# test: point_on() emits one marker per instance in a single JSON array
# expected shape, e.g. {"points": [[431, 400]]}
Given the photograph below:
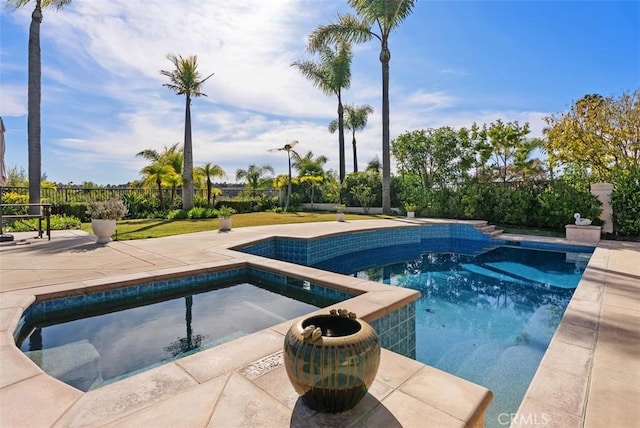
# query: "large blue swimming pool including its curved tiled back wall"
{"points": [[488, 308]]}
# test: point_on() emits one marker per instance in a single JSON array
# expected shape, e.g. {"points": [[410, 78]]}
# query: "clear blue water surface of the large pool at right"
{"points": [[488, 317]]}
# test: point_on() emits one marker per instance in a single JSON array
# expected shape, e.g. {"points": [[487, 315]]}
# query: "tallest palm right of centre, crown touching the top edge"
{"points": [[372, 15]]}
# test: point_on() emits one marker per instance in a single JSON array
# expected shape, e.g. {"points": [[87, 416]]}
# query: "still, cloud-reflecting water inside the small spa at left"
{"points": [[90, 349]]}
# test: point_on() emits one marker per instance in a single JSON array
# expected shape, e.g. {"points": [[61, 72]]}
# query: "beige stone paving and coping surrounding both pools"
{"points": [[588, 376]]}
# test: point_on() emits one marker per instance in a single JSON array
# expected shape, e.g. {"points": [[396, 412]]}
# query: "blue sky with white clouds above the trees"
{"points": [[452, 63]]}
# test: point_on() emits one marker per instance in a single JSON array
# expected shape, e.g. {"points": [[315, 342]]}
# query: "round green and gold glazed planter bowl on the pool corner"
{"points": [[331, 360]]}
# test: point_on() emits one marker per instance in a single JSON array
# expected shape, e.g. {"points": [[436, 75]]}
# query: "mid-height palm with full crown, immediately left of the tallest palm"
{"points": [[331, 75]]}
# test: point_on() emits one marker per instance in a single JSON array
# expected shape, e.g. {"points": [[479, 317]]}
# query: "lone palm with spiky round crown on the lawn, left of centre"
{"points": [[185, 80]]}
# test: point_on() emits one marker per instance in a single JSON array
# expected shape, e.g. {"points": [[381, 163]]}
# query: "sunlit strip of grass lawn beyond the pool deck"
{"points": [[155, 228]]}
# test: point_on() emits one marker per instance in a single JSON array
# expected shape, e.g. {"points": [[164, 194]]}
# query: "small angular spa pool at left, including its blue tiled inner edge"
{"points": [[92, 340]]}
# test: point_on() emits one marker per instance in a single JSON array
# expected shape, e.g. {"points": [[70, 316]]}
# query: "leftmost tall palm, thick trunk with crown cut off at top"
{"points": [[34, 90]]}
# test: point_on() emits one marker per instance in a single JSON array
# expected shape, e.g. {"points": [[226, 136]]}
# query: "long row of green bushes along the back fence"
{"points": [[546, 204]]}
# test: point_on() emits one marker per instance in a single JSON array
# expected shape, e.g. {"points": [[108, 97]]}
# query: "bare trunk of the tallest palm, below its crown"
{"points": [[385, 57]]}
